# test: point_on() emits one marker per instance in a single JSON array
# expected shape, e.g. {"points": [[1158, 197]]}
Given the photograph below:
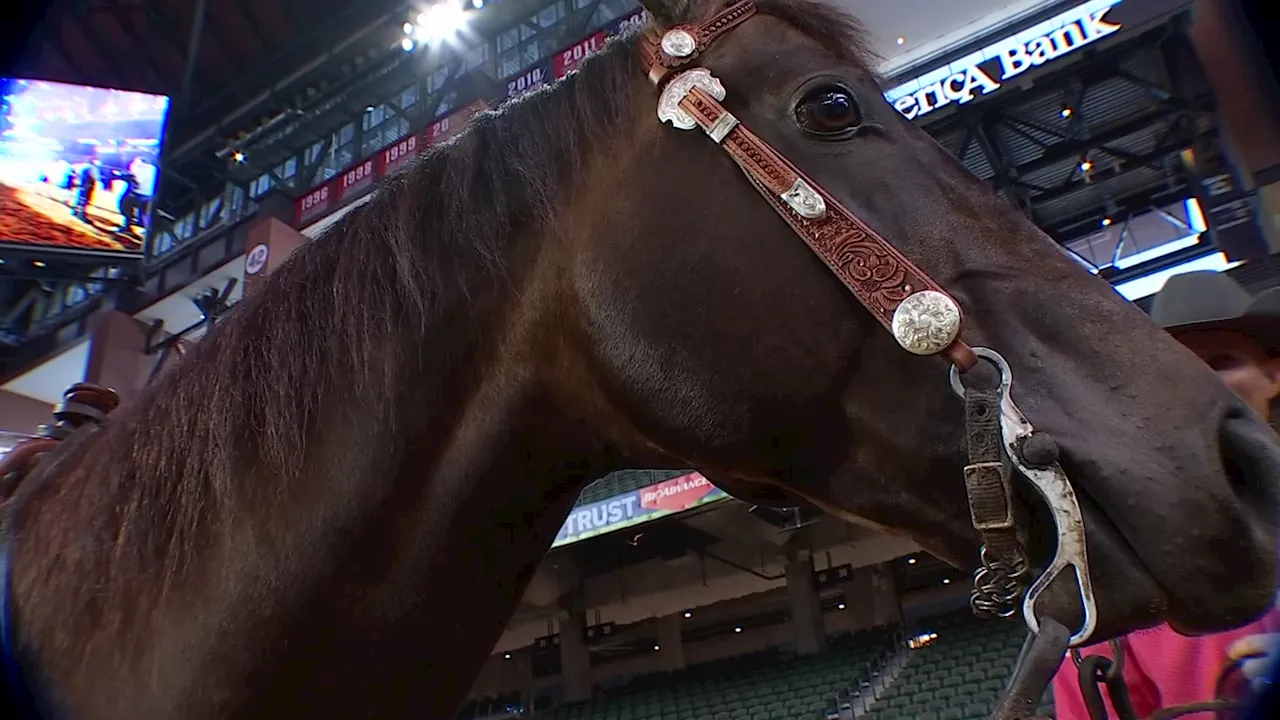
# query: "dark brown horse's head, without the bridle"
{"points": [[737, 350]]}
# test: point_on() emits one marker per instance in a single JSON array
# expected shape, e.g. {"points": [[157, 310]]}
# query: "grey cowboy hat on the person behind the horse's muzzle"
{"points": [[1208, 300]]}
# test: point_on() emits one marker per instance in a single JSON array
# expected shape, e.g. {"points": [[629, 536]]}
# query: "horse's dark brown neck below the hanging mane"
{"points": [[374, 584]]}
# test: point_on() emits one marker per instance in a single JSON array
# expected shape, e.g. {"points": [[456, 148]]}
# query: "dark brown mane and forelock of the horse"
{"points": [[170, 468]]}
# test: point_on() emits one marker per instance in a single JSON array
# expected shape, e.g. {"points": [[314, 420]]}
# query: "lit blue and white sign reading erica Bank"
{"points": [[985, 71]]}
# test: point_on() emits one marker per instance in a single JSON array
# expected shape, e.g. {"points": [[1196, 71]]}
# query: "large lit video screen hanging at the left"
{"points": [[79, 166]]}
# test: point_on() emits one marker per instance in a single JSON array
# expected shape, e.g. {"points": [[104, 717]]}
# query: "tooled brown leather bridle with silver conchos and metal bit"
{"points": [[922, 317]]}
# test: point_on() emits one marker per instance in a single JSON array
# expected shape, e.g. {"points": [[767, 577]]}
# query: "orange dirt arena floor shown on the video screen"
{"points": [[30, 218]]}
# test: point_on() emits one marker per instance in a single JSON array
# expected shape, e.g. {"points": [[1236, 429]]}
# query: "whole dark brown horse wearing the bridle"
{"points": [[333, 504]]}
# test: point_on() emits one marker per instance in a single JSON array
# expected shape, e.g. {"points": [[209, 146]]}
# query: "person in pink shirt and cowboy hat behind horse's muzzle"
{"points": [[1240, 338]]}
